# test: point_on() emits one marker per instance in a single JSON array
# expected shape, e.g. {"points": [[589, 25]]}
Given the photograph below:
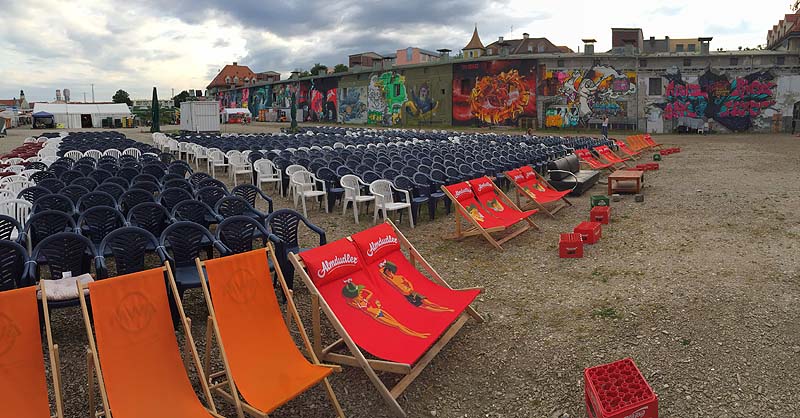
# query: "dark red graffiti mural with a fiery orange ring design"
{"points": [[494, 92]]}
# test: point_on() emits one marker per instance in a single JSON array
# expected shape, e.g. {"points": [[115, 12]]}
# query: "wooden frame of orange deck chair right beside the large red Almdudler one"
{"points": [[212, 328]]}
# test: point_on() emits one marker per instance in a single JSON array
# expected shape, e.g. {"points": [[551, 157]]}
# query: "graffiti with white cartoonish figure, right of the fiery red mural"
{"points": [[596, 92]]}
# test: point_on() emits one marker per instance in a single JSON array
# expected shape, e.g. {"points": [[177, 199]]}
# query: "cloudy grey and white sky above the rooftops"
{"points": [[181, 44]]}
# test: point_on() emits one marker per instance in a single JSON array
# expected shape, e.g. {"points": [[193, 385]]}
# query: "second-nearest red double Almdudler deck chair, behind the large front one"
{"points": [[482, 222]]}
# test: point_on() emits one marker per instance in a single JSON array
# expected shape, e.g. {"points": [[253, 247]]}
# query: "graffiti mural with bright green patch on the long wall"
{"points": [[386, 96]]}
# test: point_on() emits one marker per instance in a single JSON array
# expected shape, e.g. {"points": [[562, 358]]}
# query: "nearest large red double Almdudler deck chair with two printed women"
{"points": [[380, 303]]}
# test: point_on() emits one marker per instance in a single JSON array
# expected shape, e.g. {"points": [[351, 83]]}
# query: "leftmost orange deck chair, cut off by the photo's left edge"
{"points": [[23, 380]]}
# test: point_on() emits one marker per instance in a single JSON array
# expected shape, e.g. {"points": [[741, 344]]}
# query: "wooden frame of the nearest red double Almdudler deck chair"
{"points": [[356, 357]]}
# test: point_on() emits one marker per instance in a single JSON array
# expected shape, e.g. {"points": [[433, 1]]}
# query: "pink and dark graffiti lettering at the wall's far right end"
{"points": [[734, 103]]}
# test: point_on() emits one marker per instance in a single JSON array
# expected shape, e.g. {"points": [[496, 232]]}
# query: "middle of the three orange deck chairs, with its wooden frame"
{"points": [[135, 352]]}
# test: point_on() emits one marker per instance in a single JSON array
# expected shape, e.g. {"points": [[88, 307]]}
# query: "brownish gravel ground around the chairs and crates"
{"points": [[694, 284]]}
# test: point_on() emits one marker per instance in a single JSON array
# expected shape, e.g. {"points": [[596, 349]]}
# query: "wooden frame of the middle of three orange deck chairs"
{"points": [[93, 360]]}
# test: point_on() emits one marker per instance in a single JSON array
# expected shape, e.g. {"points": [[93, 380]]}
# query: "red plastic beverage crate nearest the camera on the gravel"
{"points": [[618, 390]]}
